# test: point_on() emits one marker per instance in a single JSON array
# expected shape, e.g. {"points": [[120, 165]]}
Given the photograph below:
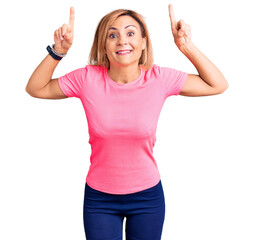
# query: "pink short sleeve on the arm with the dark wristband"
{"points": [[71, 83]]}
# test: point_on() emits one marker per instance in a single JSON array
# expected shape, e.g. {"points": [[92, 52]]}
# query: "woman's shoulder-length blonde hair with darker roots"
{"points": [[98, 53]]}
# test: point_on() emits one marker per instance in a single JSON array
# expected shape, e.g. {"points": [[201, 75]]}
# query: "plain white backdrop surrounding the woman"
{"points": [[203, 147]]}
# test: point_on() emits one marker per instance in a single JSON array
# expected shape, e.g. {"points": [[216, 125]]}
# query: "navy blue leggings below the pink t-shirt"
{"points": [[104, 213]]}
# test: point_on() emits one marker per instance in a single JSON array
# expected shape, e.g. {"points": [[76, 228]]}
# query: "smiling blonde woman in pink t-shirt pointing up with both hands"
{"points": [[122, 93]]}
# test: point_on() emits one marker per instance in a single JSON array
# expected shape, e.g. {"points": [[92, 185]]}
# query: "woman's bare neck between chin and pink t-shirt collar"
{"points": [[124, 74]]}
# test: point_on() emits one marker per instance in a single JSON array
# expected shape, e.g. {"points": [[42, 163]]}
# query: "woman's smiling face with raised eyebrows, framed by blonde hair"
{"points": [[124, 34]]}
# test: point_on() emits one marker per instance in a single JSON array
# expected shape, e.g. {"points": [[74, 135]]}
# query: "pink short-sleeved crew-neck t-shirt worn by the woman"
{"points": [[122, 122]]}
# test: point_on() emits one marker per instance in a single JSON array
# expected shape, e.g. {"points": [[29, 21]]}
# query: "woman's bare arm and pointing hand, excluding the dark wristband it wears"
{"points": [[40, 84]]}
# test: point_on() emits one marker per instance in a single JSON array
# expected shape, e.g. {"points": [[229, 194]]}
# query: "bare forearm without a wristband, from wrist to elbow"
{"points": [[206, 69]]}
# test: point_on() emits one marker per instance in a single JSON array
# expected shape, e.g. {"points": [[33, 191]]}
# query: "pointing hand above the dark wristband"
{"points": [[63, 36]]}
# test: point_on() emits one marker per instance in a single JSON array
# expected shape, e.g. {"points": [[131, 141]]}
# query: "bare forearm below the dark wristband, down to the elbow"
{"points": [[42, 74]]}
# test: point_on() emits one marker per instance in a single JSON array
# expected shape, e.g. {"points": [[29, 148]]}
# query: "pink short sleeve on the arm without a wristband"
{"points": [[173, 80]]}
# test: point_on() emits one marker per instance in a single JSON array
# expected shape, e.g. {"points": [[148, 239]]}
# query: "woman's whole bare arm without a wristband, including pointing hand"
{"points": [[210, 80]]}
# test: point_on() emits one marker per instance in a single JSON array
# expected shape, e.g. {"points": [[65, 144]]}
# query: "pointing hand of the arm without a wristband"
{"points": [[181, 31]]}
